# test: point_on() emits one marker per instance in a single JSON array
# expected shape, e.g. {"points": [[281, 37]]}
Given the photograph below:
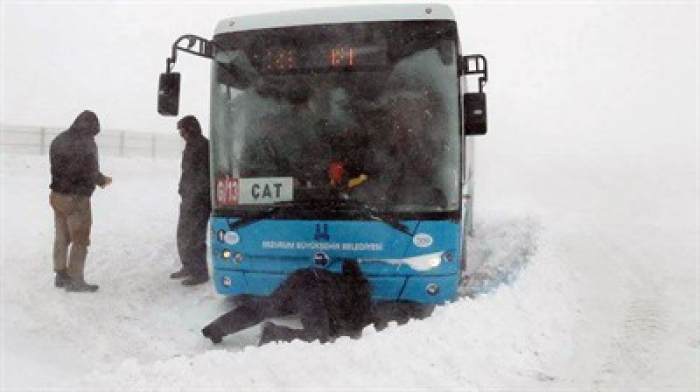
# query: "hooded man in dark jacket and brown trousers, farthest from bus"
{"points": [[75, 172]]}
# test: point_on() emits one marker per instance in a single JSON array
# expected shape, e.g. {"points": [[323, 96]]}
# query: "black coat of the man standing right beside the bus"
{"points": [[194, 182]]}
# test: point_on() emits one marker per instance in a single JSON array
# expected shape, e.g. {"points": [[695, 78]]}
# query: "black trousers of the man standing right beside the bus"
{"points": [[192, 235]]}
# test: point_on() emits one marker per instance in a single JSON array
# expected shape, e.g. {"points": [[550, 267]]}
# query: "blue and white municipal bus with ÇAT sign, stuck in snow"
{"points": [[336, 134]]}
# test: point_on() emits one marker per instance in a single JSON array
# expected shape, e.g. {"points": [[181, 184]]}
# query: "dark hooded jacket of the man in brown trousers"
{"points": [[73, 155]]}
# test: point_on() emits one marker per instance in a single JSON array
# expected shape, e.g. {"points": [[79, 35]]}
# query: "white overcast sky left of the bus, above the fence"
{"points": [[60, 57]]}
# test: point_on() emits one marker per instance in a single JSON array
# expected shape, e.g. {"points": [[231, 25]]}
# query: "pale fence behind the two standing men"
{"points": [[32, 140]]}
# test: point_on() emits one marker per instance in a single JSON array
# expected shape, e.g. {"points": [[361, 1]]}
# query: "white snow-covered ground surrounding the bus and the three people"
{"points": [[596, 297]]}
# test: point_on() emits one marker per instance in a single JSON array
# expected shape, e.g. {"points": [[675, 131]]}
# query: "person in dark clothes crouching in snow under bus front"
{"points": [[329, 305]]}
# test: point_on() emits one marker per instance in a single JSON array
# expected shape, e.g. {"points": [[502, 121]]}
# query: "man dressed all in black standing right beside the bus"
{"points": [[195, 205]]}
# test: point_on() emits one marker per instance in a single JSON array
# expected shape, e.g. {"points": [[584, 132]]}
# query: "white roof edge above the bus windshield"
{"points": [[336, 15]]}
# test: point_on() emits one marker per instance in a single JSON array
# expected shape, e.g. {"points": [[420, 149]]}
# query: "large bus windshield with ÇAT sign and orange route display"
{"points": [[367, 112]]}
